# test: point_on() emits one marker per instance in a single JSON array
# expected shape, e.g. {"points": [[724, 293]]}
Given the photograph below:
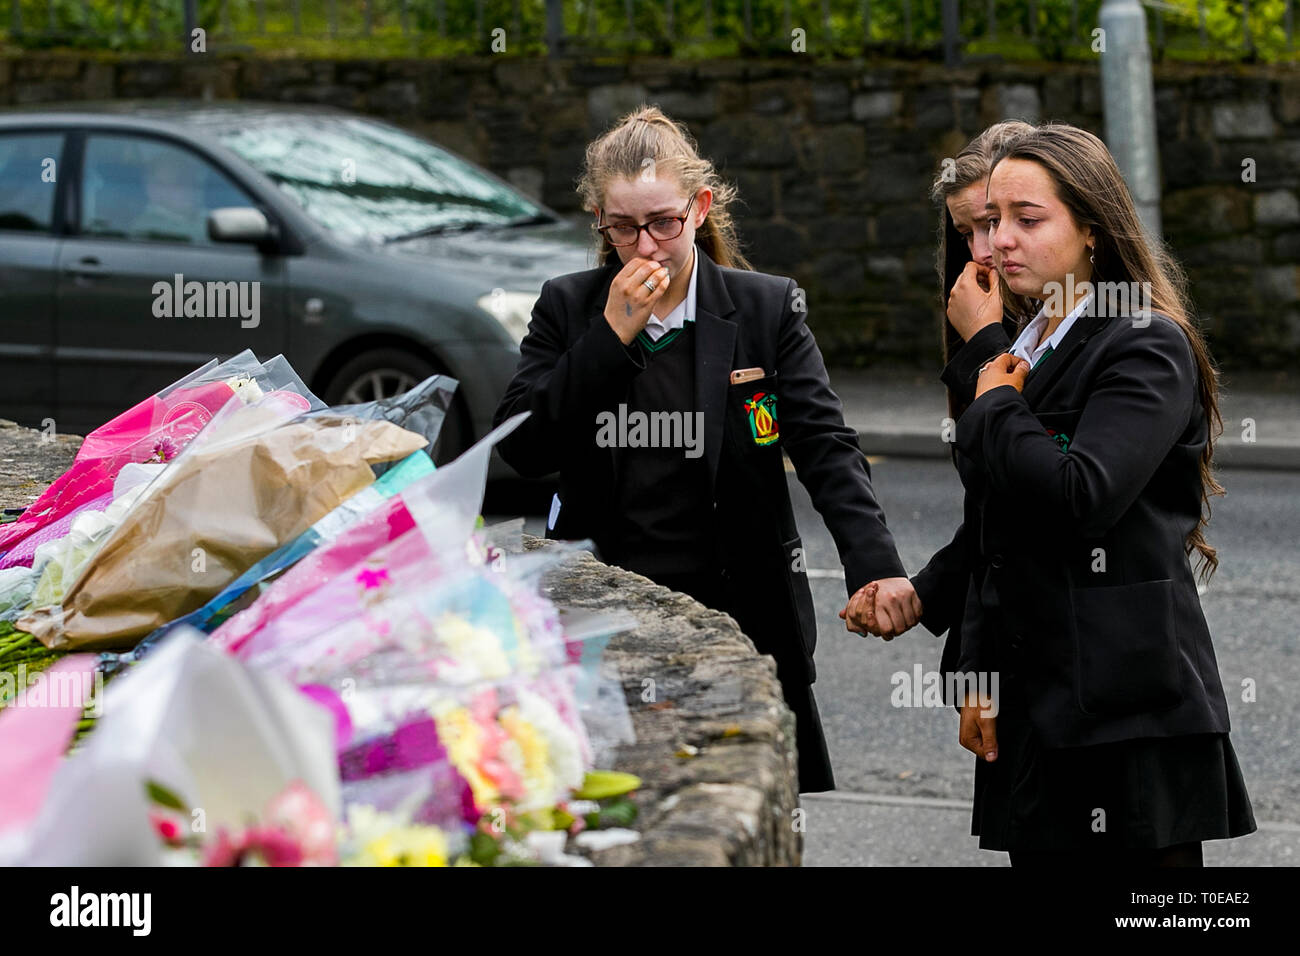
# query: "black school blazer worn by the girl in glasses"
{"points": [[573, 367]]}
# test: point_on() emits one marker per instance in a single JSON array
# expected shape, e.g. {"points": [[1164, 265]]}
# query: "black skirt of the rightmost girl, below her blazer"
{"points": [[1142, 794]]}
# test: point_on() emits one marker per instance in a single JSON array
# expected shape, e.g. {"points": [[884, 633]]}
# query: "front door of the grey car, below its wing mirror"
{"points": [[144, 295]]}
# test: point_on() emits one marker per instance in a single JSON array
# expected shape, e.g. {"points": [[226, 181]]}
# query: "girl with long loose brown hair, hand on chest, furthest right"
{"points": [[1087, 460]]}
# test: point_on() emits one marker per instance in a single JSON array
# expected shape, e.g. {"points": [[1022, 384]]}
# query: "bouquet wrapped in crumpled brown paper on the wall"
{"points": [[258, 477]]}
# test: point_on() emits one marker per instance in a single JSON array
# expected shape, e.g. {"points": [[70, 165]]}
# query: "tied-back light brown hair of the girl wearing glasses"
{"points": [[644, 136]]}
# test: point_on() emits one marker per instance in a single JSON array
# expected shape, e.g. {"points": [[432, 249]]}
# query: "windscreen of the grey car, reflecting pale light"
{"points": [[372, 183]]}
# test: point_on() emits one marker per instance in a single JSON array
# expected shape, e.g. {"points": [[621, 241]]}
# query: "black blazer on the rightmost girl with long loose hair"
{"points": [[1080, 499]]}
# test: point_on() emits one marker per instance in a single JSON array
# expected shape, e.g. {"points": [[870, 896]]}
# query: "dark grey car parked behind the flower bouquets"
{"points": [[140, 240]]}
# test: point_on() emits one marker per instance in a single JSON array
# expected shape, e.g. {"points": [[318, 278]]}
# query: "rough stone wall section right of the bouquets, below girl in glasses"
{"points": [[716, 742]]}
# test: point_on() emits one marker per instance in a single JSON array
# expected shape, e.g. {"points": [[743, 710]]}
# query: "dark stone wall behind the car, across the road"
{"points": [[834, 161]]}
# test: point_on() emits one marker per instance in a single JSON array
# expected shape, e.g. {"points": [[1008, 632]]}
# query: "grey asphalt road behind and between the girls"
{"points": [[904, 784]]}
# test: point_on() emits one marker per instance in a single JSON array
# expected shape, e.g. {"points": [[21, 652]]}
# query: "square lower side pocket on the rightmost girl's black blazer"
{"points": [[1126, 648]]}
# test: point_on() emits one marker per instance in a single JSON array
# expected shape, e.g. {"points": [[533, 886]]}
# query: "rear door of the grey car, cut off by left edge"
{"points": [[31, 162]]}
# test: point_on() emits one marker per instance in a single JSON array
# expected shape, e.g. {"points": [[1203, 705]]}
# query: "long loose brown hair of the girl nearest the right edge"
{"points": [[1093, 189]]}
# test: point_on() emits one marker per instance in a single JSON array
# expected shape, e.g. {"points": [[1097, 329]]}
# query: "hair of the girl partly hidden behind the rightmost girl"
{"points": [[972, 166]]}
